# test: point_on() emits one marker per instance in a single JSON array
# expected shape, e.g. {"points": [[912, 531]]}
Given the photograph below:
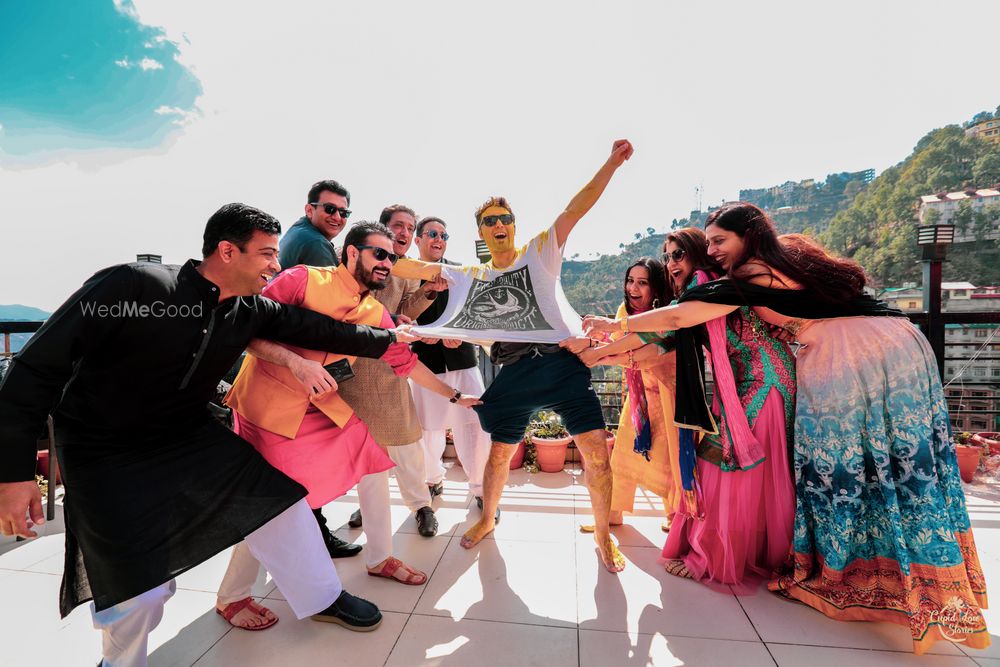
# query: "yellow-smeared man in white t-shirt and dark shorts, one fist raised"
{"points": [[535, 375]]}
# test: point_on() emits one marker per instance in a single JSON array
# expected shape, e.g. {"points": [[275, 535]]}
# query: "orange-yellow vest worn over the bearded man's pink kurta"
{"points": [[268, 395]]}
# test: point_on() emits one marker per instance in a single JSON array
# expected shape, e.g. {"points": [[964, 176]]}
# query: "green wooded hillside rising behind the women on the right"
{"points": [[875, 224]]}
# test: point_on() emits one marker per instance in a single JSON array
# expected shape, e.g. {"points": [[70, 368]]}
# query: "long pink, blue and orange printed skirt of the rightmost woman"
{"points": [[881, 528]]}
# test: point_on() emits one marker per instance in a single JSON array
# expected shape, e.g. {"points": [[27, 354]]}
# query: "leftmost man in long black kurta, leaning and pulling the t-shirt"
{"points": [[154, 485]]}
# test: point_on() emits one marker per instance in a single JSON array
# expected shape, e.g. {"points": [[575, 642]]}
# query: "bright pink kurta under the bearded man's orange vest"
{"points": [[324, 458]]}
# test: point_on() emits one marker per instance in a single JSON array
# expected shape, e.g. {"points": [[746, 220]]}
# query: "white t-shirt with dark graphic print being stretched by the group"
{"points": [[523, 303]]}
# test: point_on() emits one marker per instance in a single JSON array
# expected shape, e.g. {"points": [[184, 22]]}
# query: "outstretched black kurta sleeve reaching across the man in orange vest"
{"points": [[305, 328]]}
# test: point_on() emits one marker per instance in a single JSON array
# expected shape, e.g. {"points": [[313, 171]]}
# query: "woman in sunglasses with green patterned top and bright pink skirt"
{"points": [[735, 524]]}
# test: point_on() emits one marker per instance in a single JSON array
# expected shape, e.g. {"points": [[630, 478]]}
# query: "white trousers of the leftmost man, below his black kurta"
{"points": [[289, 546]]}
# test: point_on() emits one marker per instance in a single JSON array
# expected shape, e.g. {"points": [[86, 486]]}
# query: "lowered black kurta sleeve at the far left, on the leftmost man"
{"points": [[39, 373]]}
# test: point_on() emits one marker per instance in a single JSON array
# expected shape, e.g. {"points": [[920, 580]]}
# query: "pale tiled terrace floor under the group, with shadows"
{"points": [[533, 594]]}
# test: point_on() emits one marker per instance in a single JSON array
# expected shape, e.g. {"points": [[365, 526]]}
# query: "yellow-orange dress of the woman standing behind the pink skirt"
{"points": [[661, 474]]}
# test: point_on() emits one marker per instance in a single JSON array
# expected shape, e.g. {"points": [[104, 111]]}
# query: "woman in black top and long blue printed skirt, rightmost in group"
{"points": [[881, 528]]}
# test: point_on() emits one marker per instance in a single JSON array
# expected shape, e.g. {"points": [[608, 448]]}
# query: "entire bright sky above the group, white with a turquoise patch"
{"points": [[125, 125]]}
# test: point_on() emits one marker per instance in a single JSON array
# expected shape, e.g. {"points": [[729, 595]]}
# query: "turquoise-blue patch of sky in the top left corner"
{"points": [[86, 74]]}
